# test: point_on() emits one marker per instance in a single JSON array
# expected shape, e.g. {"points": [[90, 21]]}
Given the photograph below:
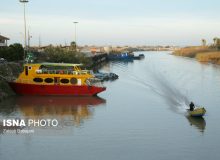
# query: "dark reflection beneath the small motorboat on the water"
{"points": [[197, 122]]}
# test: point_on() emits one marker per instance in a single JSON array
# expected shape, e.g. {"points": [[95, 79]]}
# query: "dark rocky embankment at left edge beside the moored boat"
{"points": [[8, 71]]}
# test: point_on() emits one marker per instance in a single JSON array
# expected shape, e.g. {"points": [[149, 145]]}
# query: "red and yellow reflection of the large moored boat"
{"points": [[69, 111]]}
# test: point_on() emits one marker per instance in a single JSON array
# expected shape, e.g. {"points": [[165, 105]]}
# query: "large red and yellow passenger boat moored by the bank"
{"points": [[56, 79]]}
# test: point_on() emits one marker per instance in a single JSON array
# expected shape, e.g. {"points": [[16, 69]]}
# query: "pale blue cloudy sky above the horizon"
{"points": [[112, 22]]}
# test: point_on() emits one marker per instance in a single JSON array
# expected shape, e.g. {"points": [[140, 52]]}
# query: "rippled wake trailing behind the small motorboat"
{"points": [[158, 82]]}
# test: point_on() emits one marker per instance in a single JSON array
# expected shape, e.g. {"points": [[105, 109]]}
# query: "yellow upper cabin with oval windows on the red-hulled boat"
{"points": [[54, 73]]}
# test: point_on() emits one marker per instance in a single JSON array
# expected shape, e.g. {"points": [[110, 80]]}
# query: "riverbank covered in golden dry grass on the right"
{"points": [[203, 54]]}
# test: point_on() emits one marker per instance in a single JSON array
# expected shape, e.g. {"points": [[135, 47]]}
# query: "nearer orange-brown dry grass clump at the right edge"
{"points": [[213, 57]]}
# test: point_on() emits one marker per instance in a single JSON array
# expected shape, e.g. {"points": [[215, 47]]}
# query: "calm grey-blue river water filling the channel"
{"points": [[142, 115]]}
